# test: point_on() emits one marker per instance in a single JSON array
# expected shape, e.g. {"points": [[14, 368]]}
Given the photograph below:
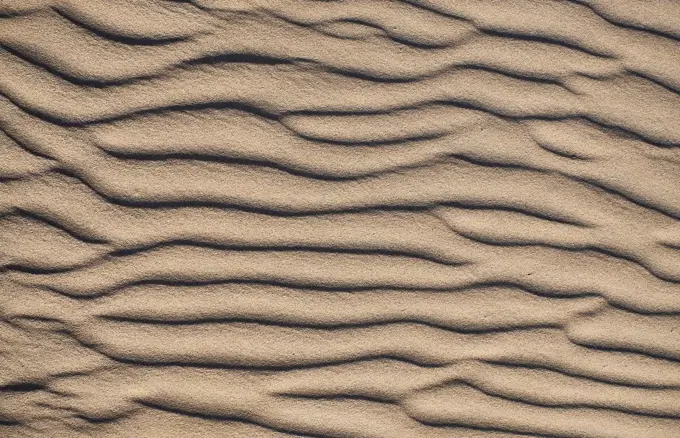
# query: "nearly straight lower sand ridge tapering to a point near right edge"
{"points": [[470, 310]]}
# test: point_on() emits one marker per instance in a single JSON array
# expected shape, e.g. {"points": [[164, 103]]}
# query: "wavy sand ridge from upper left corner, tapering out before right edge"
{"points": [[374, 58]]}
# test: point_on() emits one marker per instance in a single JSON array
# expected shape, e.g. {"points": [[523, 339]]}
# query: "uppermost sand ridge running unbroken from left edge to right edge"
{"points": [[255, 85]]}
